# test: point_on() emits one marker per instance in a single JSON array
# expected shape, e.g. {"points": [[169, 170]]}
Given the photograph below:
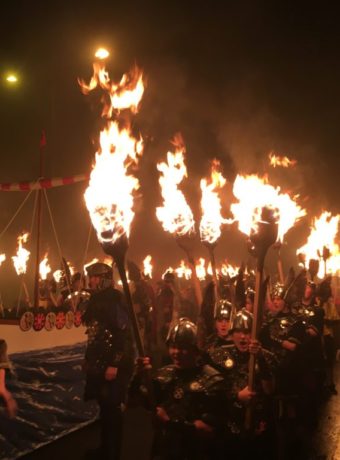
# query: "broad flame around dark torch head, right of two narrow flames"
{"points": [[255, 193]]}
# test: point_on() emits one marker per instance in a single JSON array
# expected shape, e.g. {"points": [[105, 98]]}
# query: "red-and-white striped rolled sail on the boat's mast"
{"points": [[43, 183]]}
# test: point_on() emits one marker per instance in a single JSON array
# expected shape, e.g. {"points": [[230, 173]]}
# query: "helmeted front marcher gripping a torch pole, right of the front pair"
{"points": [[241, 442]]}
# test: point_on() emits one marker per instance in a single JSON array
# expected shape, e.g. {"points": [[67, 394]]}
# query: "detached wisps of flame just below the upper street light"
{"points": [[126, 94]]}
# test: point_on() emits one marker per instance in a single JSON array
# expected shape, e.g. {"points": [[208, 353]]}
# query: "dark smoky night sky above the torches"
{"points": [[238, 79]]}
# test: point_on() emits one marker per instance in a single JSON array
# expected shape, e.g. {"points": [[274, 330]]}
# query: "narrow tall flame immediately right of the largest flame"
{"points": [[175, 214]]}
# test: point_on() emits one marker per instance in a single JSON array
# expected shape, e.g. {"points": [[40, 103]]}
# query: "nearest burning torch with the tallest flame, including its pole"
{"points": [[109, 196]]}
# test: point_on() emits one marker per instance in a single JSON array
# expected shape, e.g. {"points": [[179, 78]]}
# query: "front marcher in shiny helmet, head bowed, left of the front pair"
{"points": [[187, 397]]}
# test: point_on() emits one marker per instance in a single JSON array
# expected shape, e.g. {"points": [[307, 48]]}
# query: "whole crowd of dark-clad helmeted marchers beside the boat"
{"points": [[215, 390]]}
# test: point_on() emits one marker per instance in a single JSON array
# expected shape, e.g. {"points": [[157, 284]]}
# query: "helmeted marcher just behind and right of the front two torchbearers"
{"points": [[283, 334]]}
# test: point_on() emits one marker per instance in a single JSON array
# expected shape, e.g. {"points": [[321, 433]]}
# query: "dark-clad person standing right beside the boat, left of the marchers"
{"points": [[109, 356]]}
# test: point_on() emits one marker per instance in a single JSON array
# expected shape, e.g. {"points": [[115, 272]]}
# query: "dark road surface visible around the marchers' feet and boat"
{"points": [[137, 436]]}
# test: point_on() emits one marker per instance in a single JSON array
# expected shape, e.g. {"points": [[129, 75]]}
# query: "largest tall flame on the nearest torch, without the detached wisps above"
{"points": [[109, 196]]}
